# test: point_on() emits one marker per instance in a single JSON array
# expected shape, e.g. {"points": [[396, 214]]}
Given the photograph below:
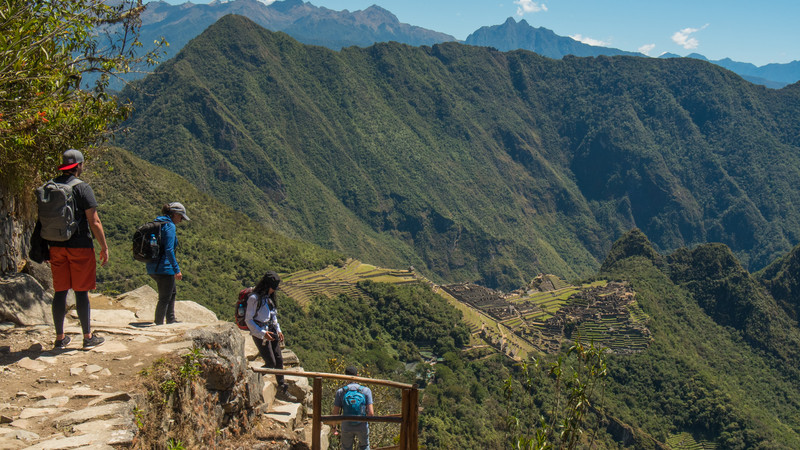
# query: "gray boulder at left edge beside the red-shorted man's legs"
{"points": [[24, 301]]}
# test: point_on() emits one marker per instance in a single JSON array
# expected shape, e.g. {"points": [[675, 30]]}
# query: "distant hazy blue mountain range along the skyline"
{"points": [[339, 29]]}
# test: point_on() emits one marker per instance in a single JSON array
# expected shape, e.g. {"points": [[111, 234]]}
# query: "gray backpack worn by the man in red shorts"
{"points": [[56, 203]]}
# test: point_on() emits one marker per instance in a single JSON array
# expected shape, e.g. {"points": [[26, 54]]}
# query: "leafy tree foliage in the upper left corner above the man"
{"points": [[45, 49]]}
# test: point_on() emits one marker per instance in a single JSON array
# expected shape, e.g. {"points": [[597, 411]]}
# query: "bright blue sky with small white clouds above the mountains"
{"points": [[756, 32]]}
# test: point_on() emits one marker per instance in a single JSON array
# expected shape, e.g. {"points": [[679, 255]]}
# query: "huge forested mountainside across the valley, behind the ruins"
{"points": [[470, 163]]}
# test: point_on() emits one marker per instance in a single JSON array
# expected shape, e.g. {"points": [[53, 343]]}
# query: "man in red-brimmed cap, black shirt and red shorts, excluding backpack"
{"points": [[73, 261]]}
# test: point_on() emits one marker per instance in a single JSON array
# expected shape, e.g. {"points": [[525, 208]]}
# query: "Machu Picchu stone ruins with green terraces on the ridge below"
{"points": [[549, 311]]}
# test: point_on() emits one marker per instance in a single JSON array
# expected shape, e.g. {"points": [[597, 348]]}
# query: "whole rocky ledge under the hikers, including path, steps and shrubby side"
{"points": [[104, 398]]}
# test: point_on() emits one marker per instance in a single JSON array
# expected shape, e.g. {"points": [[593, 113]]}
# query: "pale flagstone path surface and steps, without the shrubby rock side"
{"points": [[71, 398]]}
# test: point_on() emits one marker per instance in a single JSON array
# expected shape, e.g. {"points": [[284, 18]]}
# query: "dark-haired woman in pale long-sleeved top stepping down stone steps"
{"points": [[262, 321]]}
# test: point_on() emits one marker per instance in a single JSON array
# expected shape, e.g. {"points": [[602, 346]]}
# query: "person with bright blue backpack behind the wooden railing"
{"points": [[354, 400]]}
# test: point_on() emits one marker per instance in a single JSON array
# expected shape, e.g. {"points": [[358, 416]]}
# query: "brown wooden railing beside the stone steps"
{"points": [[407, 418]]}
